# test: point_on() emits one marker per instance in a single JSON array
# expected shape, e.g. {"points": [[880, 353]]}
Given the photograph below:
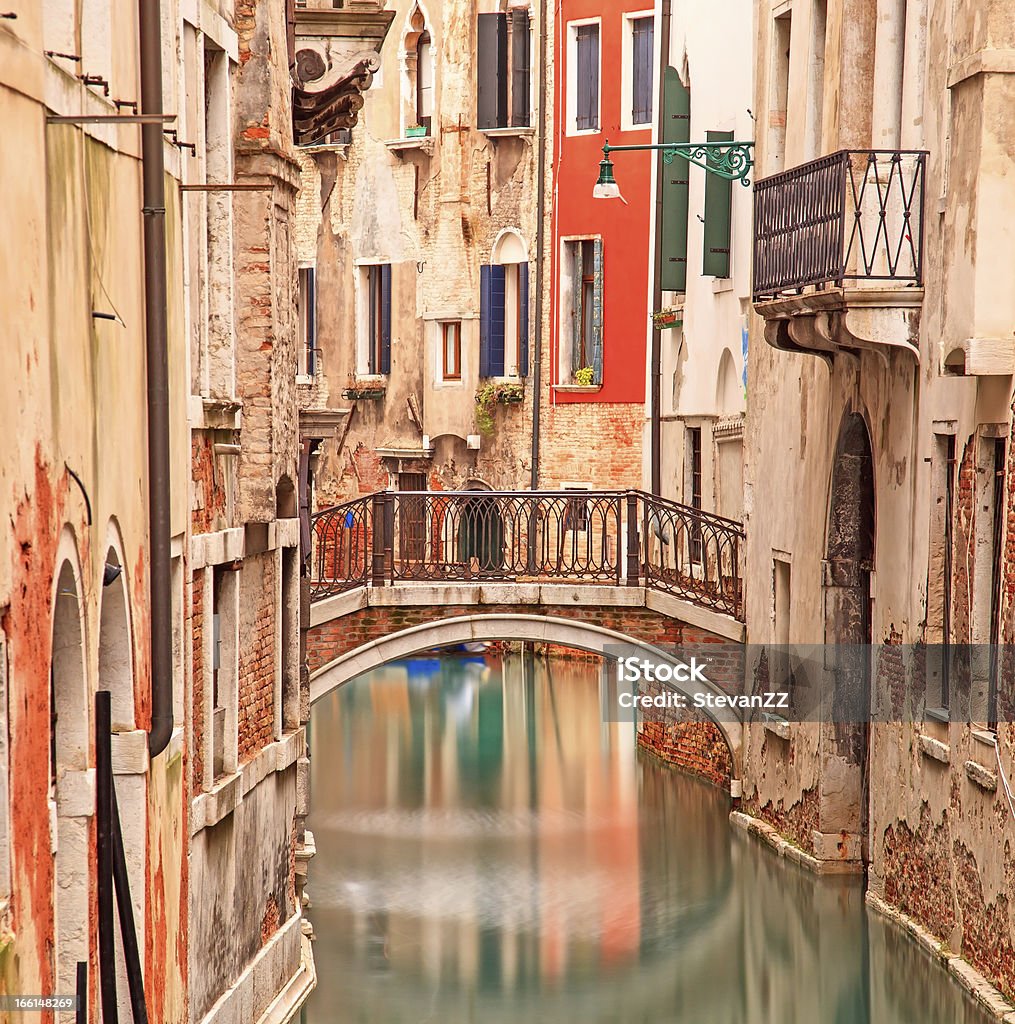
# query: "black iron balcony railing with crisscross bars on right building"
{"points": [[857, 215]]}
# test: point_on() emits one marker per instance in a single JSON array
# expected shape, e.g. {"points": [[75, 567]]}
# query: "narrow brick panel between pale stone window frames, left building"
{"points": [[258, 646]]}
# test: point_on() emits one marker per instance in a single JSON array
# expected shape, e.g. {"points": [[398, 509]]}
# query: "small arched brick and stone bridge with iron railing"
{"points": [[396, 574]]}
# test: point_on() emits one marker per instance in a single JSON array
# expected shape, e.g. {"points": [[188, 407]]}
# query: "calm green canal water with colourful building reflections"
{"points": [[490, 850]]}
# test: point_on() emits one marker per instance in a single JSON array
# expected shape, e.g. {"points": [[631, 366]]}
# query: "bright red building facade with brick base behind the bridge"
{"points": [[605, 90]]}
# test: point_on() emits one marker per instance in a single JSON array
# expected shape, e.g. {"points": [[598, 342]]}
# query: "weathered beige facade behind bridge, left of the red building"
{"points": [[417, 247]]}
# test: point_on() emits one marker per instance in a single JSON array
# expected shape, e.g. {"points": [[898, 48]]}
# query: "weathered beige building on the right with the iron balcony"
{"points": [[878, 438]]}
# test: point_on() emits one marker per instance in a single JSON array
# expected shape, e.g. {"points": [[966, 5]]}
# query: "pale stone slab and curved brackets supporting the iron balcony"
{"points": [[845, 320]]}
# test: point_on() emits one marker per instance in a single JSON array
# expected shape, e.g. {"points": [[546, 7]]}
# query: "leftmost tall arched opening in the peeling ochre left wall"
{"points": [[68, 765]]}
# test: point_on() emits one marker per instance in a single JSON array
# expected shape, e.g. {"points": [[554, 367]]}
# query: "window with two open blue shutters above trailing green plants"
{"points": [[504, 321]]}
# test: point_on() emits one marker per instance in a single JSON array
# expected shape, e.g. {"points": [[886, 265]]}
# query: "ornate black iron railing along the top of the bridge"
{"points": [[593, 537]]}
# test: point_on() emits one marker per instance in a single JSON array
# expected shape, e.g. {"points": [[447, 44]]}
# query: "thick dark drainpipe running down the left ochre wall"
{"points": [[156, 343]]}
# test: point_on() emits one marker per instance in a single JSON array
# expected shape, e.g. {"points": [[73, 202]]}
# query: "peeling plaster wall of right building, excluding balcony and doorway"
{"points": [[940, 826]]}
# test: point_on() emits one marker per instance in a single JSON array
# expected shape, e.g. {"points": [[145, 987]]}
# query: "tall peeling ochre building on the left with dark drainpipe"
{"points": [[191, 621]]}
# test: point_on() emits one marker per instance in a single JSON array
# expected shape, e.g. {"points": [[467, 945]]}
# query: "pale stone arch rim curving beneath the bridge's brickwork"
{"points": [[578, 634]]}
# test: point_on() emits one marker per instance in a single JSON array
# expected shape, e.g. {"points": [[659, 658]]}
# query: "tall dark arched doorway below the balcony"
{"points": [[850, 563]]}
